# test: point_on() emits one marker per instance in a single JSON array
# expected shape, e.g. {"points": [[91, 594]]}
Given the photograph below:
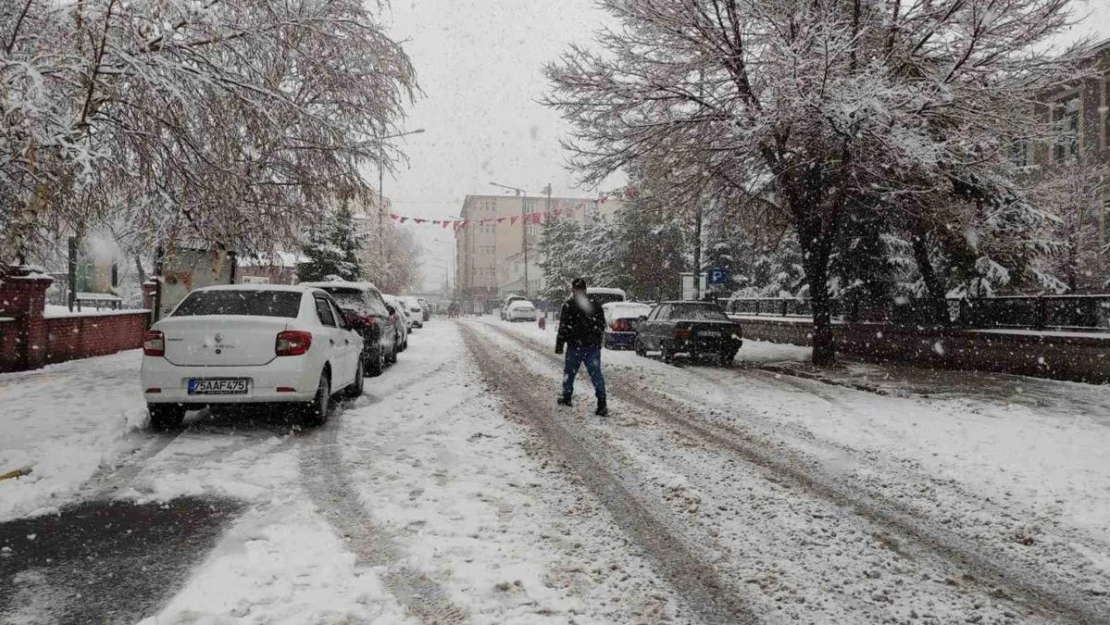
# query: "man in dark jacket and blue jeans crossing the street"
{"points": [[582, 329]]}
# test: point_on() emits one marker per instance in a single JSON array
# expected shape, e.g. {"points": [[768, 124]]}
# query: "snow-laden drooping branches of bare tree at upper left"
{"points": [[223, 122]]}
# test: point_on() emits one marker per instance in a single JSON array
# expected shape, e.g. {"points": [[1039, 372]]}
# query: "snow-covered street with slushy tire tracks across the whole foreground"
{"points": [[456, 492]]}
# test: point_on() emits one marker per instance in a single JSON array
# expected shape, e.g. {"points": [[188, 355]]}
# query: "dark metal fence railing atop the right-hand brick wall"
{"points": [[1036, 312]]}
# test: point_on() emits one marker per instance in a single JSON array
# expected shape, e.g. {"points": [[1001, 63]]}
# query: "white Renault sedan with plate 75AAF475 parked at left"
{"points": [[250, 344]]}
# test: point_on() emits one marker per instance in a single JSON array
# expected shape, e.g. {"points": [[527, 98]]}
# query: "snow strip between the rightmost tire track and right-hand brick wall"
{"points": [[1040, 450]]}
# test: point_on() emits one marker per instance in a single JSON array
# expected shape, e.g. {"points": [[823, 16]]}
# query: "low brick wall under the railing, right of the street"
{"points": [[1056, 356]]}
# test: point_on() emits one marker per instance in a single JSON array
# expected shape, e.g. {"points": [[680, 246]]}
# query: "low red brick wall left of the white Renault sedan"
{"points": [[70, 338]]}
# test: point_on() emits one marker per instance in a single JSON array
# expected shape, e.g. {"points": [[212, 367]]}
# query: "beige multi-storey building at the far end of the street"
{"points": [[490, 255]]}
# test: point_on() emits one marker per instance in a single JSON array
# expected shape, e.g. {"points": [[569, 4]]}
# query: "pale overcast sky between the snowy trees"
{"points": [[480, 65]]}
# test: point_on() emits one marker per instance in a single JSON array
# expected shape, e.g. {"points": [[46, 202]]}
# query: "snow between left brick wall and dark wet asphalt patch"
{"points": [[66, 421]]}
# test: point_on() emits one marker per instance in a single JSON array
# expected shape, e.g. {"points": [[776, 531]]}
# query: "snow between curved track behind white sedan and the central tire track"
{"points": [[511, 540]]}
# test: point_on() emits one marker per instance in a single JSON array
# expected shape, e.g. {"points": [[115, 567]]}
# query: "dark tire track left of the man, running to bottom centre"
{"points": [[697, 581]]}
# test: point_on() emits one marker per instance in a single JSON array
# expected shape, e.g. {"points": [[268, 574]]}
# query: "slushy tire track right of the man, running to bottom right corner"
{"points": [[1023, 586]]}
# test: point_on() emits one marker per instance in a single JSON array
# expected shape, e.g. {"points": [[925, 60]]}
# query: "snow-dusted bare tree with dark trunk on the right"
{"points": [[815, 106]]}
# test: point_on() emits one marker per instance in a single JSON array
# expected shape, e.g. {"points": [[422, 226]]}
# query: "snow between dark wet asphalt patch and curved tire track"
{"points": [[280, 562]]}
